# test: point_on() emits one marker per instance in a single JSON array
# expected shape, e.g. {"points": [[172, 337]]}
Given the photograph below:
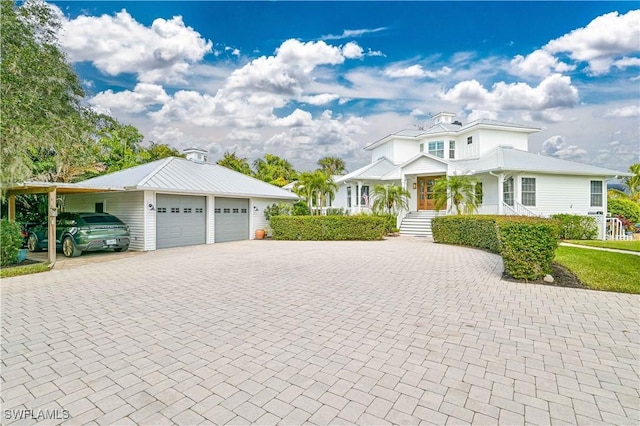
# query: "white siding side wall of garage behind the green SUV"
{"points": [[127, 206]]}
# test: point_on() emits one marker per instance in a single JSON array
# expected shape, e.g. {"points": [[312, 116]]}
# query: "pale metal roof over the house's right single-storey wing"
{"points": [[510, 159]]}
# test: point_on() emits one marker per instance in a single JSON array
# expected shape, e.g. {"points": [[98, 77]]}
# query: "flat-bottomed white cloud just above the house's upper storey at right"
{"points": [[554, 91]]}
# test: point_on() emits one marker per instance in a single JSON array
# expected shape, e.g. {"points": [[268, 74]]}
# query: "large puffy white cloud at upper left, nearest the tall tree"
{"points": [[160, 53]]}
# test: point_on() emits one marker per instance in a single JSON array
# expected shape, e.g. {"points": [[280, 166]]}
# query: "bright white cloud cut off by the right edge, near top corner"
{"points": [[603, 40]]}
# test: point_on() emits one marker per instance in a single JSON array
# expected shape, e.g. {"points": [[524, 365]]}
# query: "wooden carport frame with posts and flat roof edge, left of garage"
{"points": [[52, 189]]}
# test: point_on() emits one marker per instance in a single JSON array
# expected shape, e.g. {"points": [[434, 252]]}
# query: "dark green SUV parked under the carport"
{"points": [[78, 232]]}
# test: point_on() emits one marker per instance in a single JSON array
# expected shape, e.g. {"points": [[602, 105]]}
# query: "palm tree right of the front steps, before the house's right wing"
{"points": [[460, 189]]}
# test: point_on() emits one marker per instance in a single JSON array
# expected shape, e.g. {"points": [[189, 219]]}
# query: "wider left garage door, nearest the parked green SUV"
{"points": [[180, 220]]}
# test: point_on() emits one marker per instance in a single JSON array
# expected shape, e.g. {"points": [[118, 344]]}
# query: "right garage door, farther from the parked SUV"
{"points": [[231, 219]]}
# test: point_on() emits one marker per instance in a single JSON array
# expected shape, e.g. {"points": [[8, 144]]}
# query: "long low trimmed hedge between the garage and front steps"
{"points": [[327, 228]]}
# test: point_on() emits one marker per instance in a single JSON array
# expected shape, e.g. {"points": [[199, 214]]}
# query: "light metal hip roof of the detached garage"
{"points": [[179, 175]]}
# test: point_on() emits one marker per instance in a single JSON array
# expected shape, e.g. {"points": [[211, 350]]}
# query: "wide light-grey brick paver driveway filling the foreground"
{"points": [[400, 331]]}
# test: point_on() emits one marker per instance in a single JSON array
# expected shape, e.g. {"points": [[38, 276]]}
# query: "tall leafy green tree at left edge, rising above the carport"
{"points": [[40, 98]]}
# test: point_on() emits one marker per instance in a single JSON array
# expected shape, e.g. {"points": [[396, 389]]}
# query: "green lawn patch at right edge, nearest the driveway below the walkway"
{"points": [[602, 270]]}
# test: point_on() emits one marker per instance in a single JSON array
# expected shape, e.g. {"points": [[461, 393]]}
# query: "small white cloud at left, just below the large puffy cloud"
{"points": [[142, 96]]}
